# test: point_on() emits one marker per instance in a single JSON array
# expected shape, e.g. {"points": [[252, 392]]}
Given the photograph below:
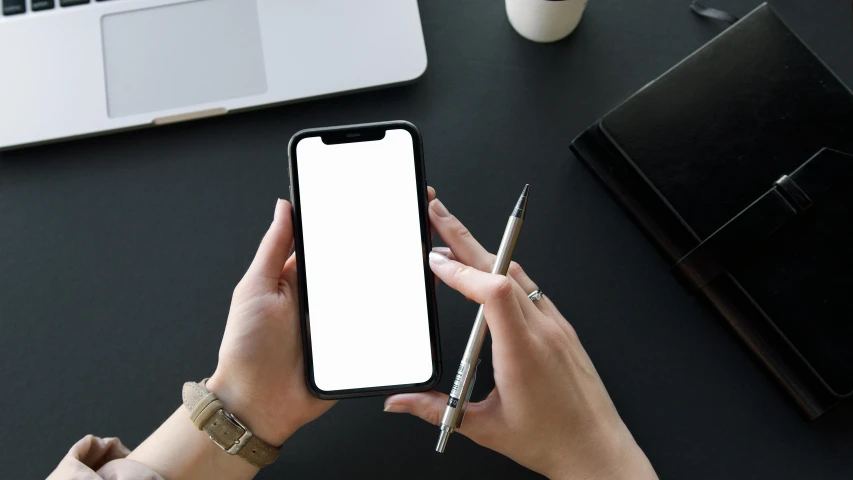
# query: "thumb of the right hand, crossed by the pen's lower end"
{"points": [[429, 406]]}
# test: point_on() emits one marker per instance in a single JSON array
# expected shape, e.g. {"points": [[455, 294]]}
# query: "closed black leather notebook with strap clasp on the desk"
{"points": [[737, 163]]}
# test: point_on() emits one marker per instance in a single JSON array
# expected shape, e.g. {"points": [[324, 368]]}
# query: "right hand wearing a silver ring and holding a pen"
{"points": [[549, 410]]}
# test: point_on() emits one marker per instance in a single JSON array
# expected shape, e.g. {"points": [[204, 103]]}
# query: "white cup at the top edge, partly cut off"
{"points": [[544, 20]]}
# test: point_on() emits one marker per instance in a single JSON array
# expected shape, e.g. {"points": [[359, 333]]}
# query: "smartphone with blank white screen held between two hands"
{"points": [[361, 230]]}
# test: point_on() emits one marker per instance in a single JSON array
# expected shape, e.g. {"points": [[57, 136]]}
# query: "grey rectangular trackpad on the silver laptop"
{"points": [[181, 55]]}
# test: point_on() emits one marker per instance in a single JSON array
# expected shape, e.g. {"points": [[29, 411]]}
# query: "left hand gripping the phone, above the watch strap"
{"points": [[260, 377]]}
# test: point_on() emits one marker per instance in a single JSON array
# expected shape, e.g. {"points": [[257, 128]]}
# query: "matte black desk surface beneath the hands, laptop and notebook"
{"points": [[118, 255]]}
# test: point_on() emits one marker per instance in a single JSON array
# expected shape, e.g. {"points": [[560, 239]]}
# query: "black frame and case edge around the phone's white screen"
{"points": [[340, 135]]}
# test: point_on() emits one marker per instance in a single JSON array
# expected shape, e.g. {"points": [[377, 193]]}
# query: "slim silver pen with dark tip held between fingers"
{"points": [[467, 373]]}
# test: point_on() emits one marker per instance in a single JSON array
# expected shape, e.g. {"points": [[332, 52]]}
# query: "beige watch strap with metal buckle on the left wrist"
{"points": [[207, 413]]}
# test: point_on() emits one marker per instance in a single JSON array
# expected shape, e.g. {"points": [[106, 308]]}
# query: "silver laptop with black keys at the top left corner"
{"points": [[80, 67]]}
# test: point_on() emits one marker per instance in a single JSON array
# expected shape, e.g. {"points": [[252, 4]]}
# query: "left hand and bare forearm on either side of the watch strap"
{"points": [[260, 375]]}
